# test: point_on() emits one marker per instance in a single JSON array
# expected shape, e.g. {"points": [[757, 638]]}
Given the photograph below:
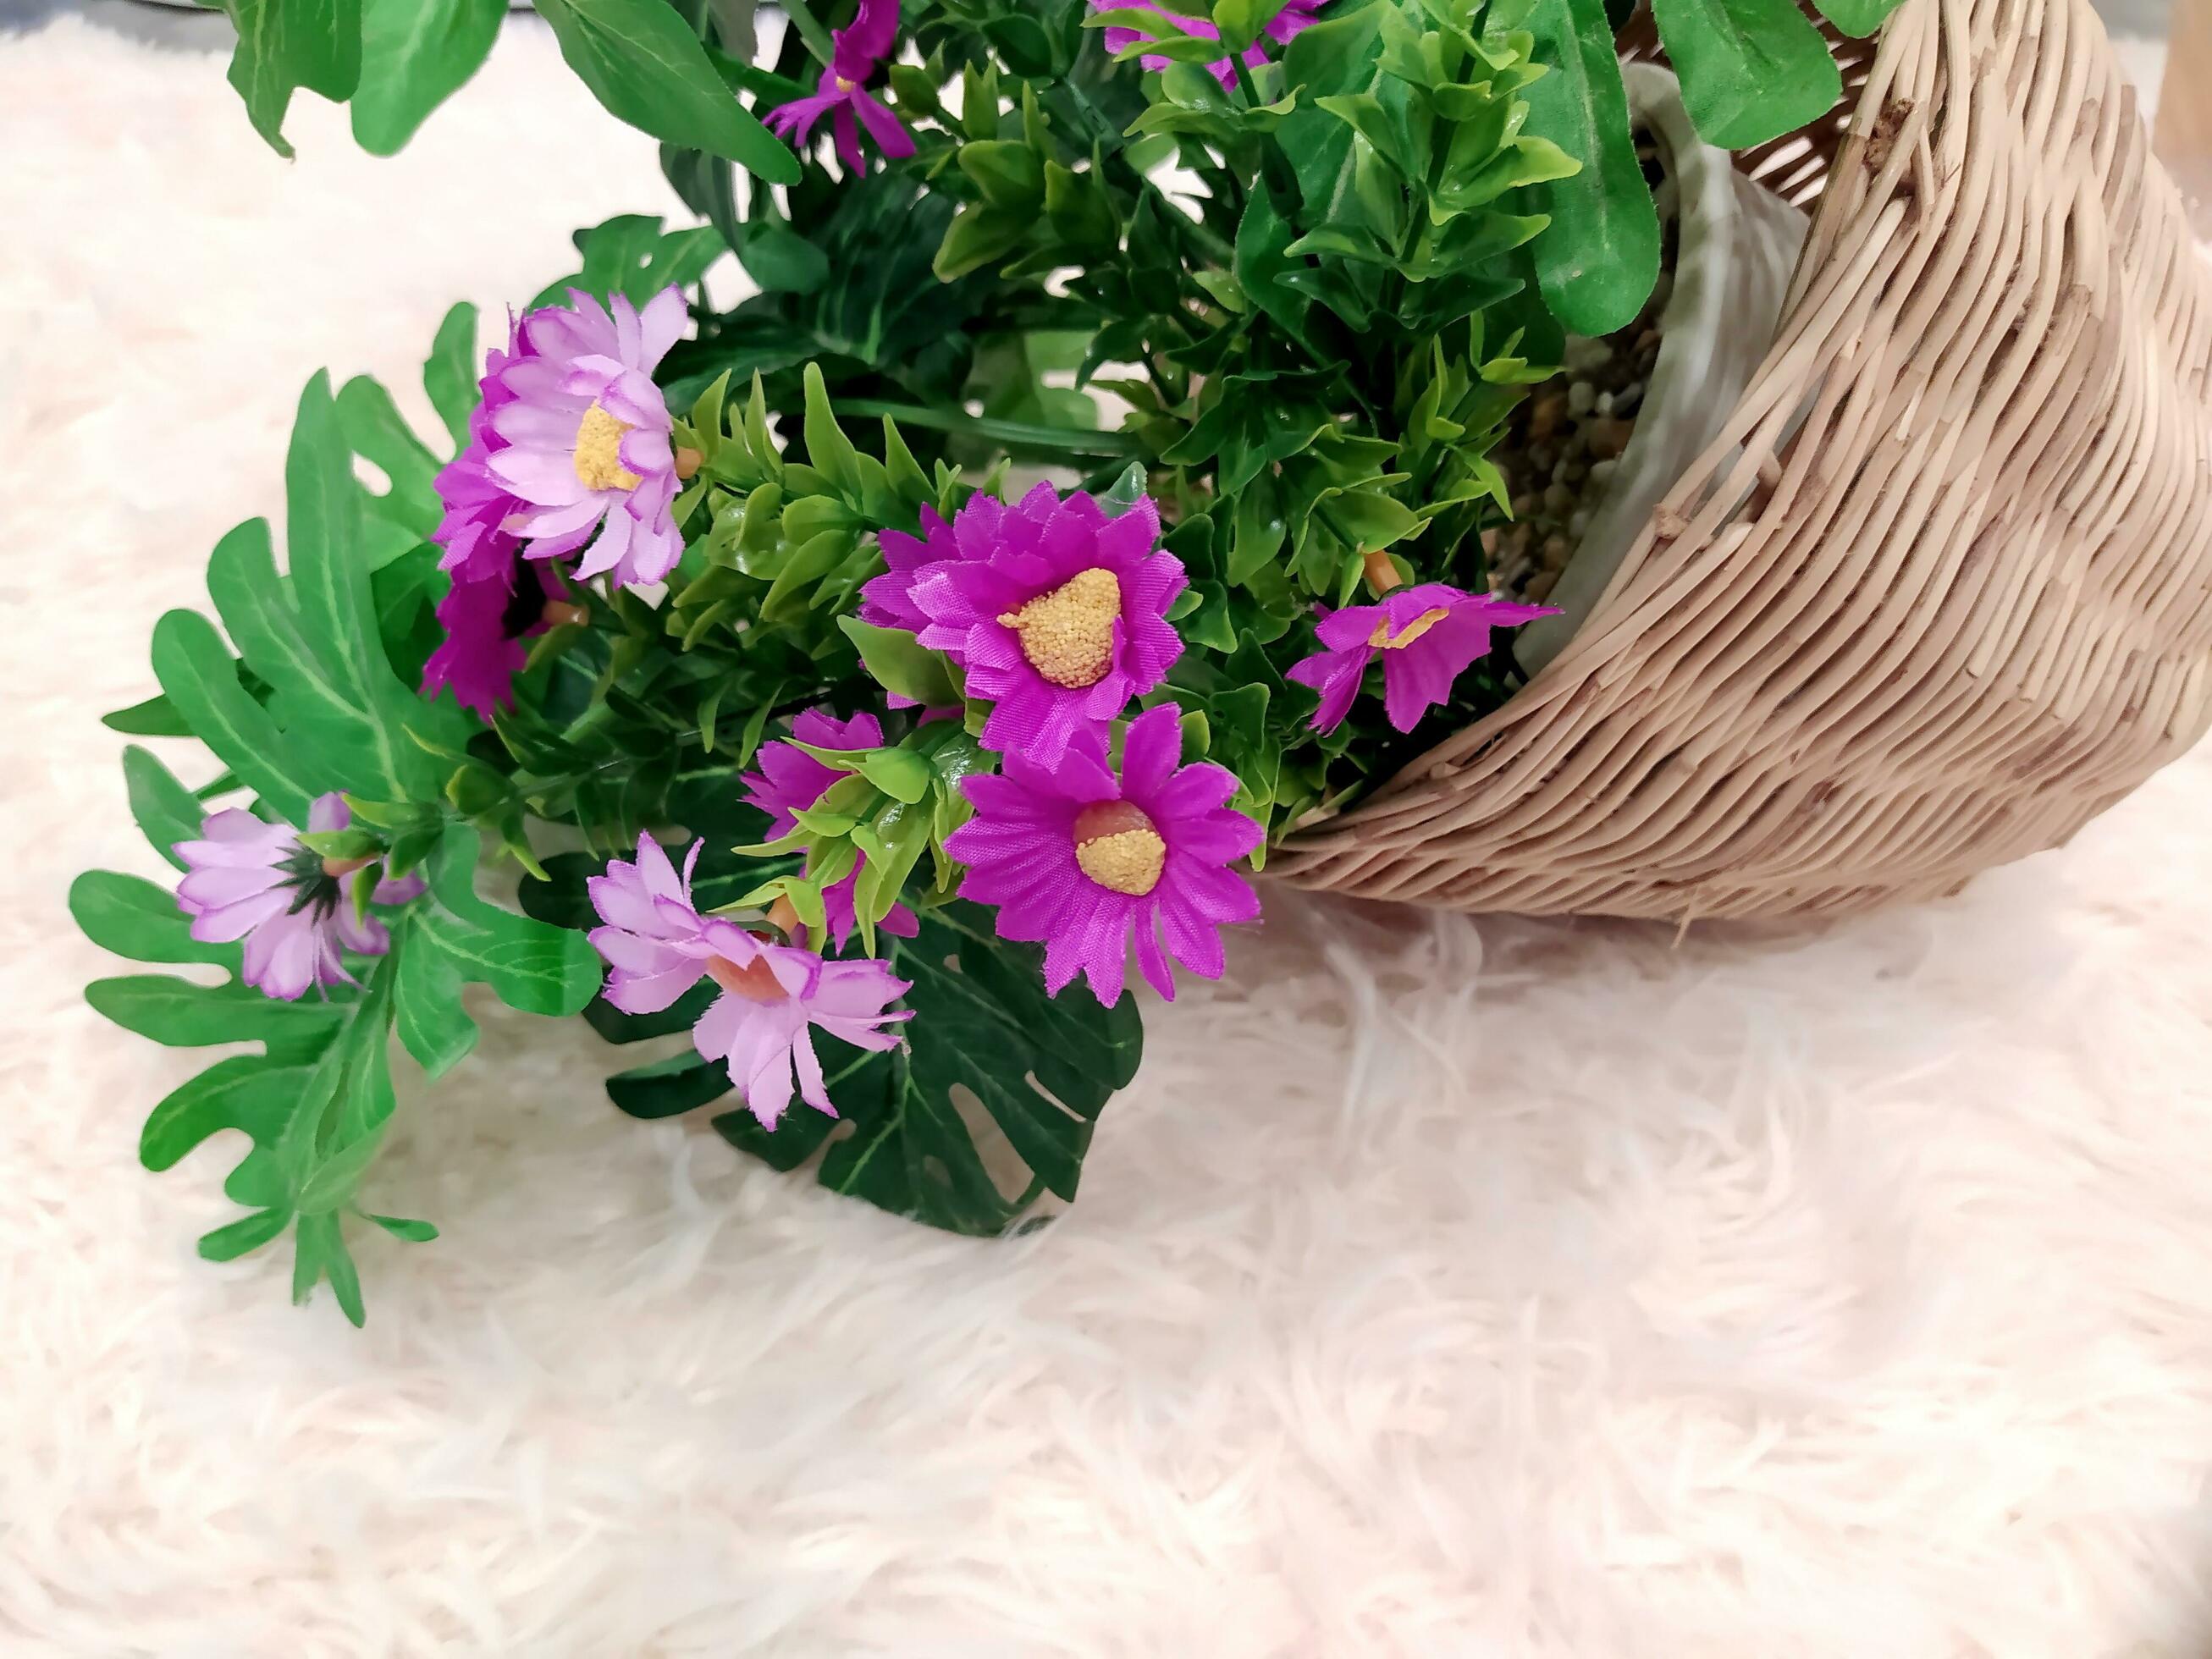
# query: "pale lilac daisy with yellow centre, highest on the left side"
{"points": [[587, 437]]}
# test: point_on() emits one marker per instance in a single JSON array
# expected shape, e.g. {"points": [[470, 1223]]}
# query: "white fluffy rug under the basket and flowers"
{"points": [[1443, 1288]]}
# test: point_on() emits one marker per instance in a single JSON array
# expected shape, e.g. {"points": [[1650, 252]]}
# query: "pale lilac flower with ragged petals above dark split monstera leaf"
{"points": [[773, 997]]}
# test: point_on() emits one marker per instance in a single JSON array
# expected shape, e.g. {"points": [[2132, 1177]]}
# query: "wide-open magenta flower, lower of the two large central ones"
{"points": [[1083, 862]]}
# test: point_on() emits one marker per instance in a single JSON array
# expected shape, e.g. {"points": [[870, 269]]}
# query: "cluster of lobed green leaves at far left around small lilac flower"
{"points": [[313, 705]]}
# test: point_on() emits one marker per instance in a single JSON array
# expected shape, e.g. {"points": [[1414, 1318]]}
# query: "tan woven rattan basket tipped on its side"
{"points": [[1939, 594]]}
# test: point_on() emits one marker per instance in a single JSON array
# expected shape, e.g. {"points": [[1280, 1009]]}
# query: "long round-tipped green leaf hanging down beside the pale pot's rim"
{"points": [[1600, 255]]}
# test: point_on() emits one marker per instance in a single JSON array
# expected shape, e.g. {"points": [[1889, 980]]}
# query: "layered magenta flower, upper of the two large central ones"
{"points": [[1056, 614]]}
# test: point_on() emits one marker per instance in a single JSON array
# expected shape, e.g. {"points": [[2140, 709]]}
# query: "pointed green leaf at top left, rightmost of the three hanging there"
{"points": [[649, 70]]}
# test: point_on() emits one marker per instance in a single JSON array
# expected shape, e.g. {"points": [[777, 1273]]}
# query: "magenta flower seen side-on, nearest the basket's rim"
{"points": [[1428, 638]]}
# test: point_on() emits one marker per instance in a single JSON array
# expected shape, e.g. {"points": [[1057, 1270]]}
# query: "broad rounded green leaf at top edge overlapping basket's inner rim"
{"points": [[1751, 70]]}
